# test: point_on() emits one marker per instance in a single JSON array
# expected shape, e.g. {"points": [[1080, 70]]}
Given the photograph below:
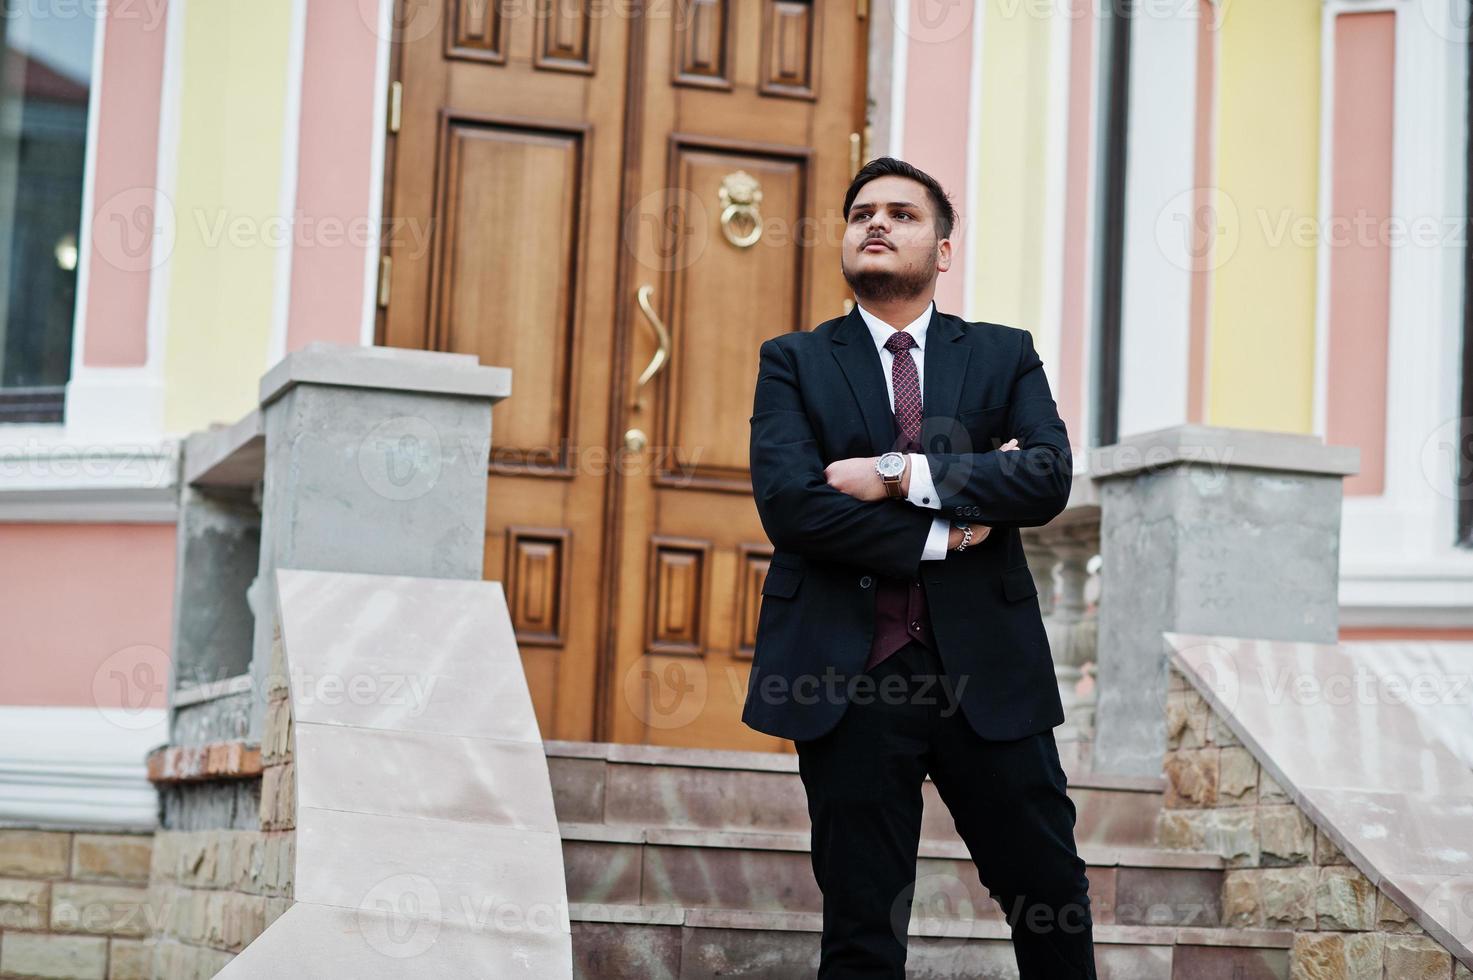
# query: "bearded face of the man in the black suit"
{"points": [[890, 245]]}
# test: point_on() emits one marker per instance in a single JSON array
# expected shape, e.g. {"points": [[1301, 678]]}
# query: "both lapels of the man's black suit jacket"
{"points": [[946, 360]]}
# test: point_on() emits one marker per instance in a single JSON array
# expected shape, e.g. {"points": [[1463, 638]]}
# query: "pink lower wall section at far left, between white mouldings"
{"points": [[88, 615]]}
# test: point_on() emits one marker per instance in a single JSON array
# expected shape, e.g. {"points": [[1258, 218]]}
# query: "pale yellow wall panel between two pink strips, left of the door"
{"points": [[222, 284]]}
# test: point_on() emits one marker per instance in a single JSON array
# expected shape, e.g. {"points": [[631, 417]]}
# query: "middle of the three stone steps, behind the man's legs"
{"points": [[773, 873]]}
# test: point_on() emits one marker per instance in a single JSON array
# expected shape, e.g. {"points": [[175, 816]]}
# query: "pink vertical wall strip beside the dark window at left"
{"points": [[124, 182]]}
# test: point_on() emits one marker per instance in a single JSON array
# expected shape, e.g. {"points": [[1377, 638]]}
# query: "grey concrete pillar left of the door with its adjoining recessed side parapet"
{"points": [[359, 461]]}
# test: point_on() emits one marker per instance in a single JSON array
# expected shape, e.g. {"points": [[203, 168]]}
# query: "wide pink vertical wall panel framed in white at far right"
{"points": [[1360, 256]]}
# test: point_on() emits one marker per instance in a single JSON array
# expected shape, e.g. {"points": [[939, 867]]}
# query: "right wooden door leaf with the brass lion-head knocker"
{"points": [[748, 111]]}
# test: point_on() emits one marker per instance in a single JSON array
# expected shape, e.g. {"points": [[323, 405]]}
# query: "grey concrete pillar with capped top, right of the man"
{"points": [[1207, 531]]}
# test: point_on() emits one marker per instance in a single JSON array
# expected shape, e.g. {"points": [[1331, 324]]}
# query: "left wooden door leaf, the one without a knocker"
{"points": [[506, 120]]}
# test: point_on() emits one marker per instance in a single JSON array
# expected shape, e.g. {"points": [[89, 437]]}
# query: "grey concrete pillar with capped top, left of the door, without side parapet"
{"points": [[375, 462]]}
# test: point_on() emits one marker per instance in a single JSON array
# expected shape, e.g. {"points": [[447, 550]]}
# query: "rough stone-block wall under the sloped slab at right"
{"points": [[1282, 872]]}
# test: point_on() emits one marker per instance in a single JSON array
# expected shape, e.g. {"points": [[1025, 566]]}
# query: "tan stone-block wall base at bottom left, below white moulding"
{"points": [[74, 906]]}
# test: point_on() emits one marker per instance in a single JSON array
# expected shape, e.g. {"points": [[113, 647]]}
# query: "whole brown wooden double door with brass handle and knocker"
{"points": [[621, 203]]}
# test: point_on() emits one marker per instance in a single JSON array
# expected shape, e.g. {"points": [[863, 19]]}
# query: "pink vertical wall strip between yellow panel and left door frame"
{"points": [[341, 111]]}
